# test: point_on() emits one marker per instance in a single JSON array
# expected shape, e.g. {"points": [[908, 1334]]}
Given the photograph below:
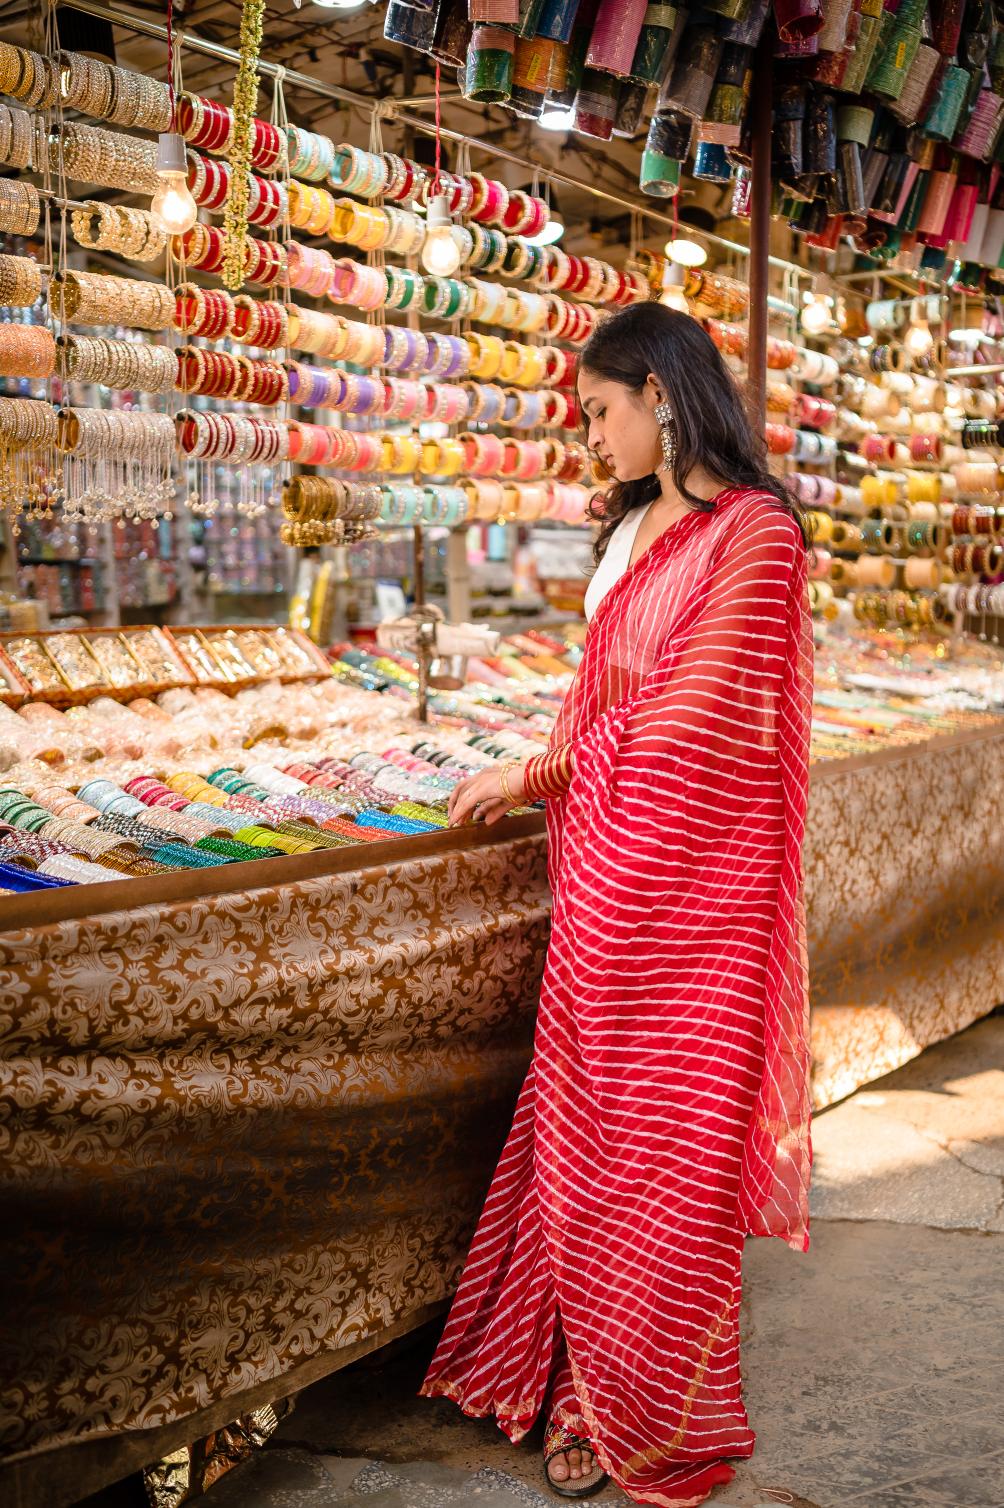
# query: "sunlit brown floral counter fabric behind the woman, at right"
{"points": [[905, 907]]}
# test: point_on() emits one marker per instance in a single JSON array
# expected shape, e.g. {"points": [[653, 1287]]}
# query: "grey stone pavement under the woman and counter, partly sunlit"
{"points": [[874, 1365]]}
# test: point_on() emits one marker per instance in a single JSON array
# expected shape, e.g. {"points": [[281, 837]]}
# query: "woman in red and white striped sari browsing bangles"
{"points": [[667, 1112]]}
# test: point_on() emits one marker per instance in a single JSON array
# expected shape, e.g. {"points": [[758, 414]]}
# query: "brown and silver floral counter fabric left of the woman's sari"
{"points": [[239, 1132]]}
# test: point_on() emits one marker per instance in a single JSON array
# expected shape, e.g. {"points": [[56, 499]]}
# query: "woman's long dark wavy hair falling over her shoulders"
{"points": [[712, 425]]}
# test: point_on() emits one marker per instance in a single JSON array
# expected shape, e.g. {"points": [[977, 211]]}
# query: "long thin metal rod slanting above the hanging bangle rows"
{"points": [[198, 44]]}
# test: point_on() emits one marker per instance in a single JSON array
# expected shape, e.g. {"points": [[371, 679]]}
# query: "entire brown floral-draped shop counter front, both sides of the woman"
{"points": [[254, 1114]]}
